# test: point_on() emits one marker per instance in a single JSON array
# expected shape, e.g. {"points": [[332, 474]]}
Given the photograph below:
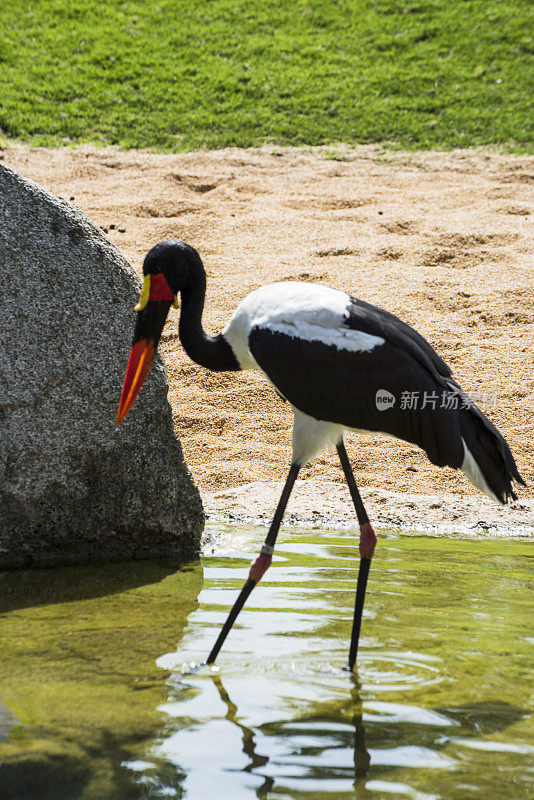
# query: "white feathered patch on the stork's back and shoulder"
{"points": [[300, 310]]}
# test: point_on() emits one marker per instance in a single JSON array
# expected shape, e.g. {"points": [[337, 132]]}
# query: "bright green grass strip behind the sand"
{"points": [[176, 74]]}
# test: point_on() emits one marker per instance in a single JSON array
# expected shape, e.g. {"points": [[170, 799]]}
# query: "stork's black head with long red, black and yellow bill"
{"points": [[170, 267]]}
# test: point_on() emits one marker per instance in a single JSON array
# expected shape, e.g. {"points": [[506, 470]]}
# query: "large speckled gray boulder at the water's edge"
{"points": [[72, 487]]}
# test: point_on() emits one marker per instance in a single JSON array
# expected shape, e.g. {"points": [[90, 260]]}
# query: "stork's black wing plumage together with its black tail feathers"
{"points": [[340, 386]]}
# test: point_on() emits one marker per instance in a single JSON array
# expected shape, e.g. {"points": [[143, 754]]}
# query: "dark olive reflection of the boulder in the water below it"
{"points": [[78, 683]]}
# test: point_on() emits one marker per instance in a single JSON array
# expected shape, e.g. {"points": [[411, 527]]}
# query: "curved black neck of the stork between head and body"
{"points": [[212, 352]]}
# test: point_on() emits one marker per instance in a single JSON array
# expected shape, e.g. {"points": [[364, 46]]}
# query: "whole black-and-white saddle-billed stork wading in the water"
{"points": [[342, 364]]}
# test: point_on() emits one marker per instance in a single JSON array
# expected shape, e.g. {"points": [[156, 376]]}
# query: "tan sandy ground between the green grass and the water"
{"points": [[443, 240]]}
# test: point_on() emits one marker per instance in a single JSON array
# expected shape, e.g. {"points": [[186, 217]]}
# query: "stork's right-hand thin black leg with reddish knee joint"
{"points": [[367, 546]]}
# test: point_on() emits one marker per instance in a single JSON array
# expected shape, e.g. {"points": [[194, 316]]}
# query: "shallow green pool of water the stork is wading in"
{"points": [[93, 705]]}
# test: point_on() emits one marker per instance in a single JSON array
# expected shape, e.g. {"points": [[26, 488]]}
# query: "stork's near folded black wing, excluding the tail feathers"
{"points": [[340, 386]]}
